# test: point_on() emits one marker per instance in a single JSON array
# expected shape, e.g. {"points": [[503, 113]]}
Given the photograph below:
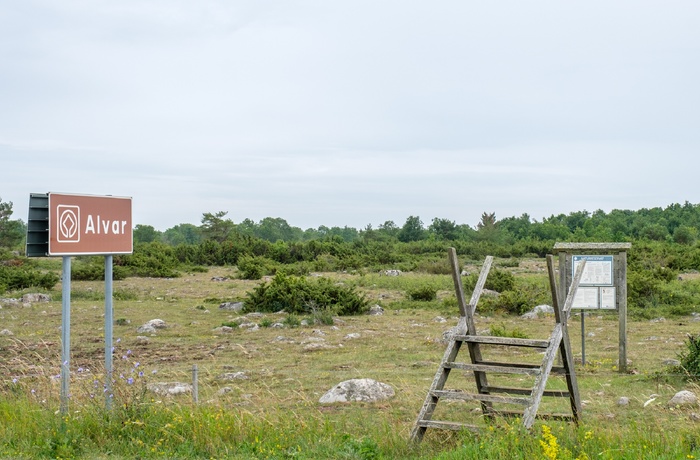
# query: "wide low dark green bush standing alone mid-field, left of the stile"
{"points": [[298, 295]]}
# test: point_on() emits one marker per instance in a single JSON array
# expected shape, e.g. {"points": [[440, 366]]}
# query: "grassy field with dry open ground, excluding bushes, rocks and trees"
{"points": [[272, 411]]}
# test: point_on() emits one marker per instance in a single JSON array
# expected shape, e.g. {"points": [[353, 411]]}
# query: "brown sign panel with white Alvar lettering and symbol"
{"points": [[89, 224]]}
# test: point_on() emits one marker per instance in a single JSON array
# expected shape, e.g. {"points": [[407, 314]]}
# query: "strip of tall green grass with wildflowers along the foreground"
{"points": [[149, 428]]}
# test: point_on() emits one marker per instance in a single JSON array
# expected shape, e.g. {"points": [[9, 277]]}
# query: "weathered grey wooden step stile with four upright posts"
{"points": [[487, 395]]}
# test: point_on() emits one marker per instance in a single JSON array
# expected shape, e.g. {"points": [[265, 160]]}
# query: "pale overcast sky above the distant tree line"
{"points": [[351, 112]]}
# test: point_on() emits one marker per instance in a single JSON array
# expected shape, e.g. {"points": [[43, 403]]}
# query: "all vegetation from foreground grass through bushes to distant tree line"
{"points": [[274, 413]]}
